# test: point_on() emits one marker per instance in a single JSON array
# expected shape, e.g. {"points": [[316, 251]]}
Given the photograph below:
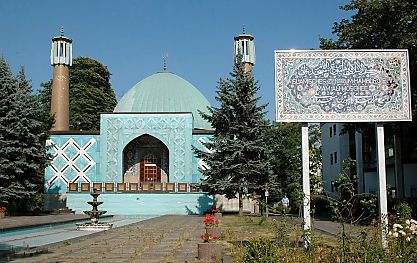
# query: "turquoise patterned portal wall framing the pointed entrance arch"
{"points": [[174, 130]]}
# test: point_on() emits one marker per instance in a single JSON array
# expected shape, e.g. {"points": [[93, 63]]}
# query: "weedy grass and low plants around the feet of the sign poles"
{"points": [[286, 246]]}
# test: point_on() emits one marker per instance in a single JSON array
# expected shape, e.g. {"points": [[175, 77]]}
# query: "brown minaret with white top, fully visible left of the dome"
{"points": [[61, 59]]}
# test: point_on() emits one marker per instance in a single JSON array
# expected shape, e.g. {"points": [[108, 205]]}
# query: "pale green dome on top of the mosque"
{"points": [[165, 92]]}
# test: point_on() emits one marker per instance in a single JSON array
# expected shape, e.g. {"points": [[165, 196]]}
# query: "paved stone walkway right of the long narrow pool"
{"points": [[164, 239]]}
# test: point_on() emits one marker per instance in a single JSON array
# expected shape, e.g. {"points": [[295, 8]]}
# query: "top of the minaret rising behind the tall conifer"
{"points": [[245, 46]]}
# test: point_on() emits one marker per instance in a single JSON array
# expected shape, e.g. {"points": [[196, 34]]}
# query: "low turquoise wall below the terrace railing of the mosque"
{"points": [[143, 203]]}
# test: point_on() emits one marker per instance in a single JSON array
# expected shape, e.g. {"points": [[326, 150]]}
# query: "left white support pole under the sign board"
{"points": [[306, 185]]}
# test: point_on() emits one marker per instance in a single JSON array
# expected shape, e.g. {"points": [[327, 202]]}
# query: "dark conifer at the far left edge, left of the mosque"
{"points": [[23, 133]]}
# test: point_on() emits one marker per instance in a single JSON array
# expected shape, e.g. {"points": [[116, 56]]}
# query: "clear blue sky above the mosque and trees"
{"points": [[130, 37]]}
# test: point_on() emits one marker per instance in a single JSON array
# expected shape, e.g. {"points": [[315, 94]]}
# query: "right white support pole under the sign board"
{"points": [[382, 179]]}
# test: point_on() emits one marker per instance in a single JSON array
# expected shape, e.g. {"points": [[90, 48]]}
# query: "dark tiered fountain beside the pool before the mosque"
{"points": [[94, 215]]}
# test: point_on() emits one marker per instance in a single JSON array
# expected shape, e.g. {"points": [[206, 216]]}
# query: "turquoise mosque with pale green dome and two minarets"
{"points": [[142, 158]]}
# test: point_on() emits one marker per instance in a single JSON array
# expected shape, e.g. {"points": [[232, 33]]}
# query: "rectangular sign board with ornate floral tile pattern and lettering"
{"points": [[342, 86]]}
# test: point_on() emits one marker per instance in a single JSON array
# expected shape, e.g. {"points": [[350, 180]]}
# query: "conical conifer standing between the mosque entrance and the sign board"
{"points": [[239, 159]]}
